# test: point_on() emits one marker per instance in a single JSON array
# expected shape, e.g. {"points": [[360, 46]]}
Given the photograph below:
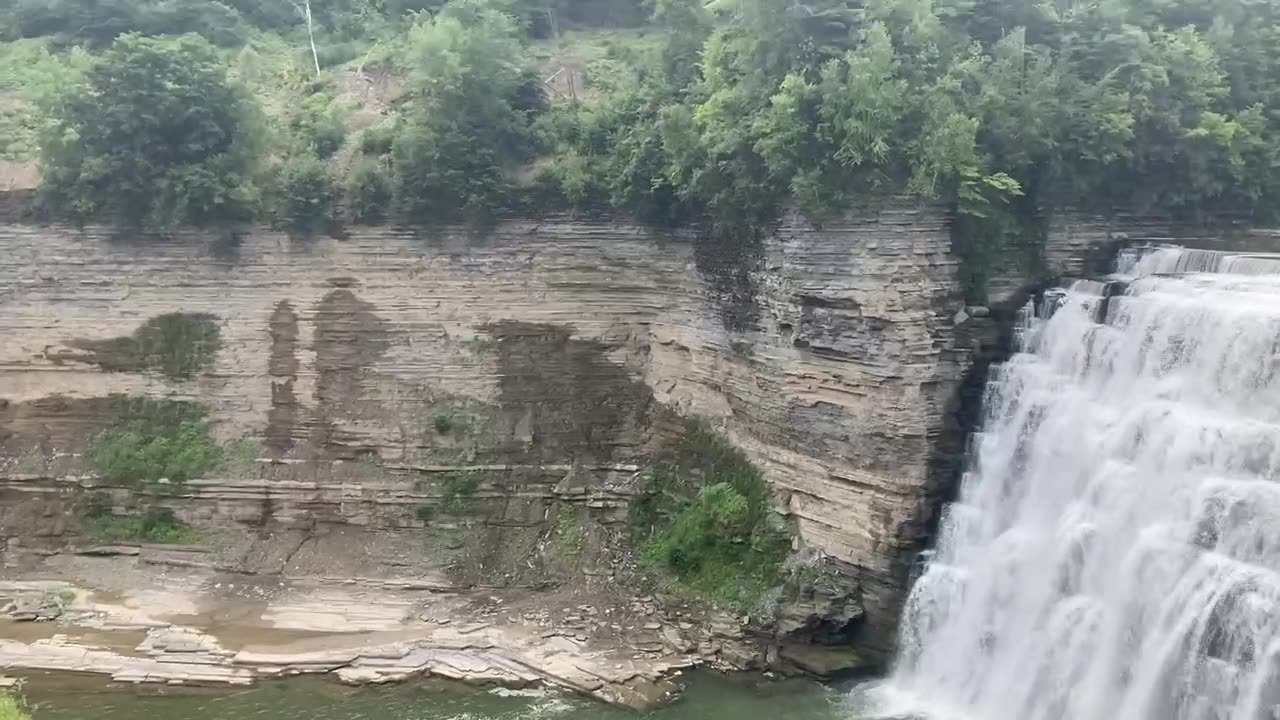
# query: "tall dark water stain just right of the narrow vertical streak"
{"points": [[350, 338]]}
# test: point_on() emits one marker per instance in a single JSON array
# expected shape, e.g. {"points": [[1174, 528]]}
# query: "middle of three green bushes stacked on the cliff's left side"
{"points": [[154, 440]]}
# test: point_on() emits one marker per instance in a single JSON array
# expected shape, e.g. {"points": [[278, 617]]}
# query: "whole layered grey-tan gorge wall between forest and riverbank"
{"points": [[541, 361]]}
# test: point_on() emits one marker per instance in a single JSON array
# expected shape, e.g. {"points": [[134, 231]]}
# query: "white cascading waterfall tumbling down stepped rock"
{"points": [[1116, 550]]}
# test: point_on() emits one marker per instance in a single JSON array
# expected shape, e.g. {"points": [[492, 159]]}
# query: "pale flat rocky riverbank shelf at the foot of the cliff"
{"points": [[113, 614]]}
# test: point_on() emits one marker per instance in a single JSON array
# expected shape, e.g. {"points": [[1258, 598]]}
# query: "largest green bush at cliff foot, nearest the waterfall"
{"points": [[705, 523]]}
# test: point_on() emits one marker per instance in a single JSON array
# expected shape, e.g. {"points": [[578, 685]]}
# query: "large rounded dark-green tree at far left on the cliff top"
{"points": [[157, 136]]}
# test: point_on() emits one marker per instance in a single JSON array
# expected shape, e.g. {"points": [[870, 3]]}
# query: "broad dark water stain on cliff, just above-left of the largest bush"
{"points": [[563, 397]]}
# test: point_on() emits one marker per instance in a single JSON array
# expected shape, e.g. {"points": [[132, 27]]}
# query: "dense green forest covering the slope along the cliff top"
{"points": [[172, 112]]}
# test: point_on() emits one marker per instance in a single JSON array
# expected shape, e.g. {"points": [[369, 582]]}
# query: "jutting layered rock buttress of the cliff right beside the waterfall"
{"points": [[839, 389]]}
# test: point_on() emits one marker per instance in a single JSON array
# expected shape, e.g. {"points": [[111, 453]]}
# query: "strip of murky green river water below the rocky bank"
{"points": [[708, 698]]}
